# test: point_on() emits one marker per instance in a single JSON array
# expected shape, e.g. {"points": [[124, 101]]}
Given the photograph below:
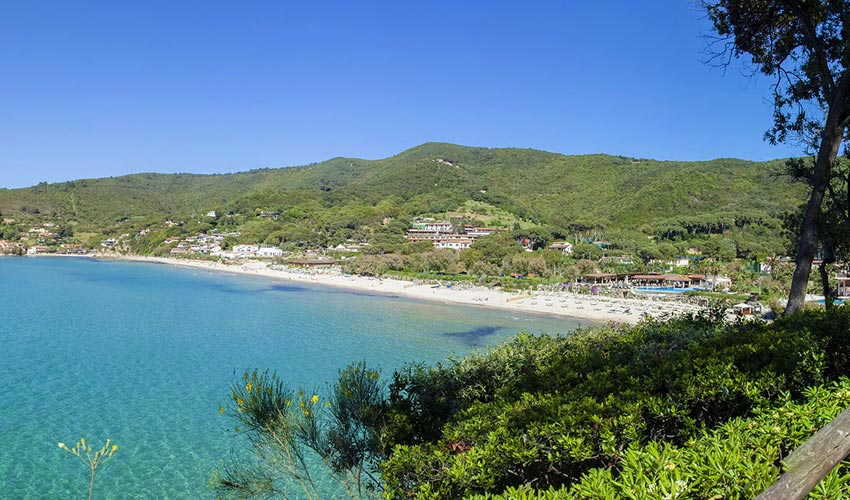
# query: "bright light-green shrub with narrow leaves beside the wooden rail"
{"points": [[736, 460]]}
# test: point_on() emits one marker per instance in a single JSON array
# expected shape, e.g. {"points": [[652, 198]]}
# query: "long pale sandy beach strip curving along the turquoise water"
{"points": [[565, 304]]}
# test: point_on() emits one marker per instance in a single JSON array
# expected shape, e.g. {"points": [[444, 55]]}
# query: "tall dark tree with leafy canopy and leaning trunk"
{"points": [[804, 45]]}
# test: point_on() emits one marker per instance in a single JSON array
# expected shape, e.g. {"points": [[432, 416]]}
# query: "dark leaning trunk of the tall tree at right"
{"points": [[830, 143]]}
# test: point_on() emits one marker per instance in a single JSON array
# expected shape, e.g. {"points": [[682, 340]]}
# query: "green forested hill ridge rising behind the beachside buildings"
{"points": [[607, 192]]}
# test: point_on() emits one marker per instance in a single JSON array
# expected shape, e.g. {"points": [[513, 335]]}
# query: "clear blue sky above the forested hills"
{"points": [[92, 89]]}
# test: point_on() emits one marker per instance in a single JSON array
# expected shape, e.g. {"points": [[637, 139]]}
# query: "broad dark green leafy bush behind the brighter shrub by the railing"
{"points": [[545, 412]]}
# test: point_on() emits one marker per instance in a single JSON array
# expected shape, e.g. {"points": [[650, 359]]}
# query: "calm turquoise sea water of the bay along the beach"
{"points": [[143, 354]]}
